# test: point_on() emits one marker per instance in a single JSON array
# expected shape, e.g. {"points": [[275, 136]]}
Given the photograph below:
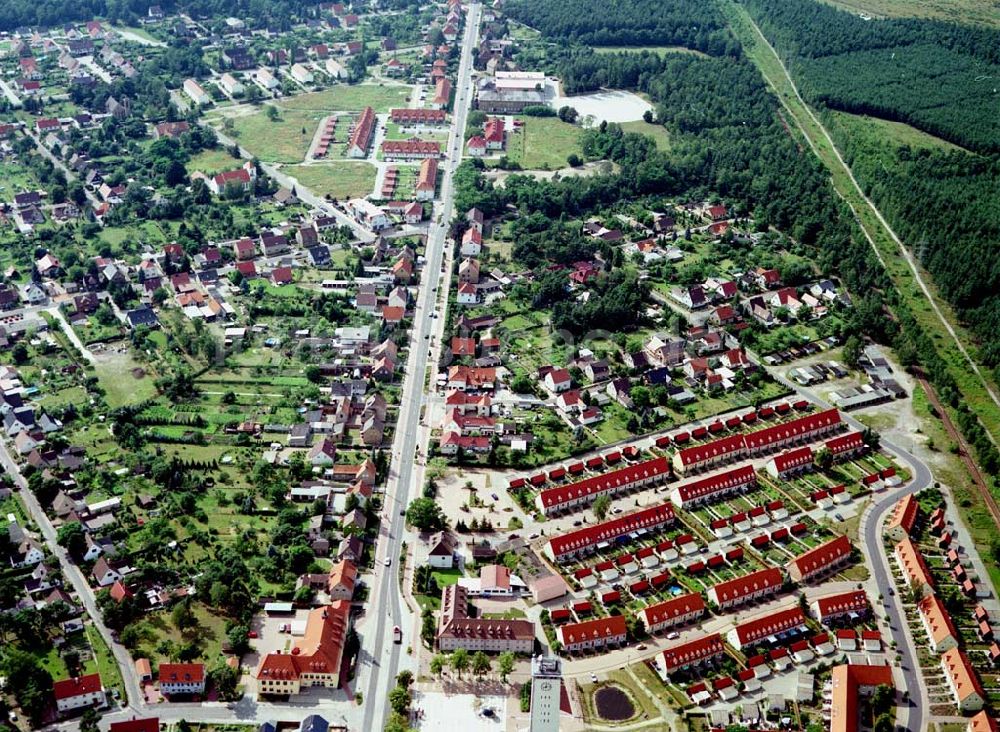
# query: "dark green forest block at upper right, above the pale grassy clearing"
{"points": [[936, 76]]}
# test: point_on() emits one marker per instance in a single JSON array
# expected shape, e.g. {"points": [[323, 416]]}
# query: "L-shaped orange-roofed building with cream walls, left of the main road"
{"points": [[314, 661]]}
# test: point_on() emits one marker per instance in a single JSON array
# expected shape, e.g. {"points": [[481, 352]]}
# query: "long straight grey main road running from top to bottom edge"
{"points": [[378, 650]]}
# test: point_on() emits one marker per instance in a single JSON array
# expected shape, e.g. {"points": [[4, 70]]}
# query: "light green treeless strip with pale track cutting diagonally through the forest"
{"points": [[876, 229]]}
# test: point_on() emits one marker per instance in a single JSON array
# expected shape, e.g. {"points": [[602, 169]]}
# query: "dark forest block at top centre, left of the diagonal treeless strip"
{"points": [[690, 23]]}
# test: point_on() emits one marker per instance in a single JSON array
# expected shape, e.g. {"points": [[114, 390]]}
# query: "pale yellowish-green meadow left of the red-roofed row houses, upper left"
{"points": [[282, 140]]}
